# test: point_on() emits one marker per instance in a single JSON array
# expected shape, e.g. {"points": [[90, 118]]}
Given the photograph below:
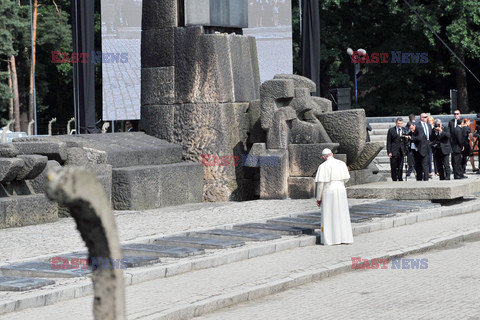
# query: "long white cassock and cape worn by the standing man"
{"points": [[330, 181]]}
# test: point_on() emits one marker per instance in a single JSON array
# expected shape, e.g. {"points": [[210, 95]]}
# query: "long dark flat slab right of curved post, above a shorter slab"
{"points": [[142, 249]]}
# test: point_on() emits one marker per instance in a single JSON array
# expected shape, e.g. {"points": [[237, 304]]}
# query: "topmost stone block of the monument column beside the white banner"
{"points": [[158, 14]]}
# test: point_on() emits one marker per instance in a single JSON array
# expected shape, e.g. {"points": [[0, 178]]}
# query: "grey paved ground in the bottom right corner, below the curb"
{"points": [[448, 289]]}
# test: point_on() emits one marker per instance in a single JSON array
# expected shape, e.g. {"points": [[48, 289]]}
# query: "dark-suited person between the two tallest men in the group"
{"points": [[440, 143]]}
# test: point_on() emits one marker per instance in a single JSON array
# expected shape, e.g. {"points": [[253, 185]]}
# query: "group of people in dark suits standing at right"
{"points": [[421, 138]]}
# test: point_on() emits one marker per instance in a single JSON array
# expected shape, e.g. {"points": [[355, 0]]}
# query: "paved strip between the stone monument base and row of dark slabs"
{"points": [[62, 236]]}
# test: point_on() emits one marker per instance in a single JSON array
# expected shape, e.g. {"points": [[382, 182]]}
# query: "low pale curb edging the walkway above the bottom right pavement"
{"points": [[189, 311]]}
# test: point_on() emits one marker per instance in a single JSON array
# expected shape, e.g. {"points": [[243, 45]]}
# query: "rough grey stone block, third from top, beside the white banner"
{"points": [[158, 85]]}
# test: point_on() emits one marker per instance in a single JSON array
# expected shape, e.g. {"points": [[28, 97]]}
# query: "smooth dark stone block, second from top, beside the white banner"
{"points": [[158, 48]]}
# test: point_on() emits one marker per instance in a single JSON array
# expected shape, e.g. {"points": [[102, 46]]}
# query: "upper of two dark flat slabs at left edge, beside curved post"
{"points": [[41, 269]]}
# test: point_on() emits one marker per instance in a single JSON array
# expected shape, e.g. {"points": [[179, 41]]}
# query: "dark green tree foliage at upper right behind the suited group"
{"points": [[386, 26]]}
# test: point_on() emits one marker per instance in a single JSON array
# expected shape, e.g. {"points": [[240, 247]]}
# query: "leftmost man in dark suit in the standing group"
{"points": [[396, 150]]}
